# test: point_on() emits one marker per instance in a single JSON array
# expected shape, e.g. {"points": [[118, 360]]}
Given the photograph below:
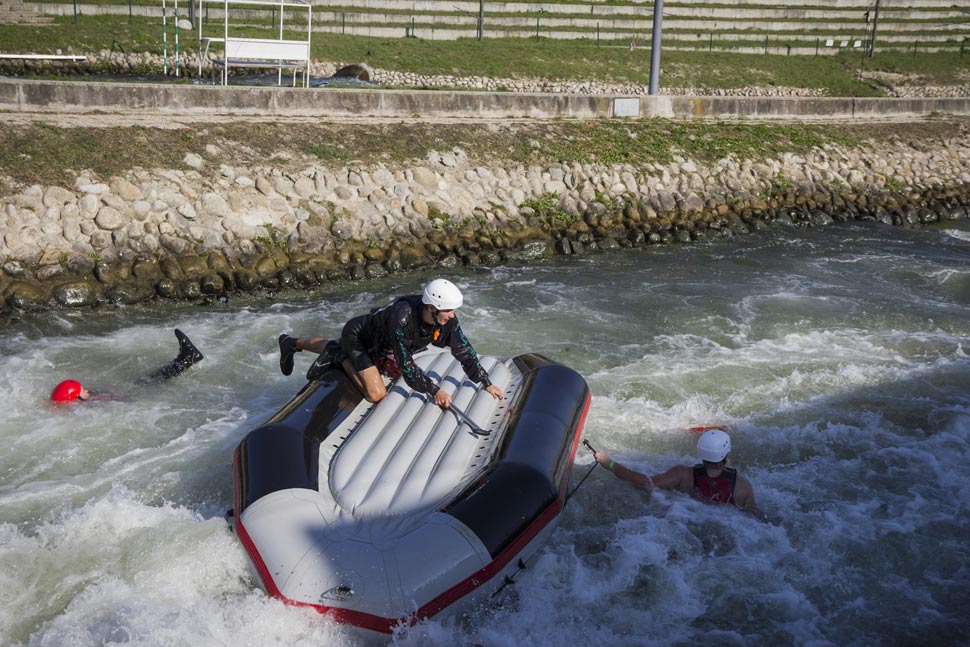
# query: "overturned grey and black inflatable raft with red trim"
{"points": [[382, 515]]}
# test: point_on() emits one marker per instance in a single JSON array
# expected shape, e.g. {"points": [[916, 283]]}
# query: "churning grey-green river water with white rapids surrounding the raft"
{"points": [[837, 358]]}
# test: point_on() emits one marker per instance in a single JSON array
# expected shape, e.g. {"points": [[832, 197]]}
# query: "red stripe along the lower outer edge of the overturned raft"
{"points": [[449, 597]]}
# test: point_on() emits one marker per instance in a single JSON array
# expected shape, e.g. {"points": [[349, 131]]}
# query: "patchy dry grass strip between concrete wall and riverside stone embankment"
{"points": [[47, 154]]}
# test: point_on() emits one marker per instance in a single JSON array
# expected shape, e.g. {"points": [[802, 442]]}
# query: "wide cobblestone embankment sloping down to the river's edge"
{"points": [[214, 230]]}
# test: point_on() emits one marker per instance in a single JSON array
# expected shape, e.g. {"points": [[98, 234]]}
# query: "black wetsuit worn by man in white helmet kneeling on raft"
{"points": [[398, 328]]}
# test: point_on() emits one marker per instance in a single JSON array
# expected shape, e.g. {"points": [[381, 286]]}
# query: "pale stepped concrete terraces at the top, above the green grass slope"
{"points": [[941, 23]]}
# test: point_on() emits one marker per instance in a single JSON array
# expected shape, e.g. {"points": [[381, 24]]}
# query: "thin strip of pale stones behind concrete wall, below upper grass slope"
{"points": [[135, 63]]}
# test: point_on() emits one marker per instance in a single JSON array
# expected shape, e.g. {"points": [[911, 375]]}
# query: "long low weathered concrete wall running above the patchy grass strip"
{"points": [[18, 95]]}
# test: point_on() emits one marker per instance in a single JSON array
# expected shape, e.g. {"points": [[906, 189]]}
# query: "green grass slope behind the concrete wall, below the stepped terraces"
{"points": [[580, 60]]}
